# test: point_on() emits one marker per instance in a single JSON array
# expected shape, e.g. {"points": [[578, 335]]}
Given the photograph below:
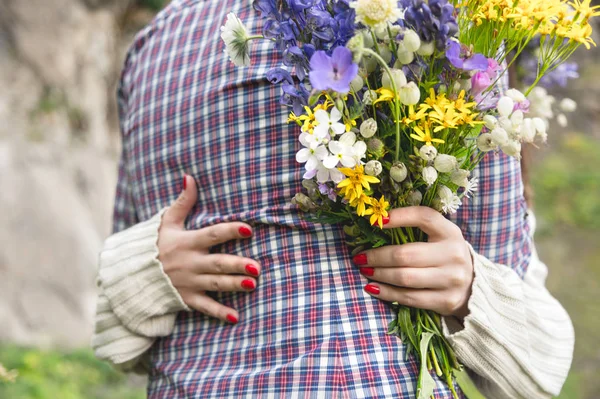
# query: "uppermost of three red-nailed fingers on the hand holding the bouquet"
{"points": [[414, 254]]}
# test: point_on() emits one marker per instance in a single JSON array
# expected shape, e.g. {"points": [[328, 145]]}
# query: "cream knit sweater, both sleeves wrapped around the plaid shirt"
{"points": [[517, 341]]}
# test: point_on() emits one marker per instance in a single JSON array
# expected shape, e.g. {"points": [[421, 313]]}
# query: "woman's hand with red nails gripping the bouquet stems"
{"points": [[435, 275]]}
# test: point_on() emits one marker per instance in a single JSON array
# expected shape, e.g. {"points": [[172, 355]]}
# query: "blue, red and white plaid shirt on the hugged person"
{"points": [[309, 330]]}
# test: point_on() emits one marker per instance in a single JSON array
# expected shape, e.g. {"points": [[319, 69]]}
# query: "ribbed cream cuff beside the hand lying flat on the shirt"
{"points": [[139, 292]]}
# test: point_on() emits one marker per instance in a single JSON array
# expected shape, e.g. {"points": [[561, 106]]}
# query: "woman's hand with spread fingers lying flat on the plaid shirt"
{"points": [[193, 270]]}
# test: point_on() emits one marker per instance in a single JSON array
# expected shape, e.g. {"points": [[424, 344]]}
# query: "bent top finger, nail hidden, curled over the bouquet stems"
{"points": [[433, 223]]}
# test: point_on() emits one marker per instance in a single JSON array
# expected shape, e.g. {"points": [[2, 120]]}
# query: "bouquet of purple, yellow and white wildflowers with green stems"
{"points": [[396, 102]]}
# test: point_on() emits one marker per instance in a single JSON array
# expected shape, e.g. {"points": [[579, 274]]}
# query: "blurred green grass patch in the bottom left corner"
{"points": [[54, 375]]}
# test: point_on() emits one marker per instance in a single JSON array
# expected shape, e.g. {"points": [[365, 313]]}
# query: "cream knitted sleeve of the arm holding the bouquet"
{"points": [[517, 341]]}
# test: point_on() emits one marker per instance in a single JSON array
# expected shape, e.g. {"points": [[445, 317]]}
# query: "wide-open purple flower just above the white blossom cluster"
{"points": [[335, 72]]}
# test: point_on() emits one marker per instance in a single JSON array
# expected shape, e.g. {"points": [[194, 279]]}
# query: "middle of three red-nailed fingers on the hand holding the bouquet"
{"points": [[409, 277]]}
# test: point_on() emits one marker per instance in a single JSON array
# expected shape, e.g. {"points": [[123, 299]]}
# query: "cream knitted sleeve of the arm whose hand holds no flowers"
{"points": [[137, 302]]}
